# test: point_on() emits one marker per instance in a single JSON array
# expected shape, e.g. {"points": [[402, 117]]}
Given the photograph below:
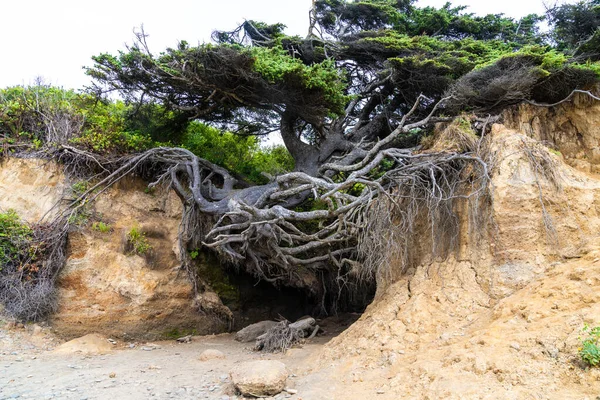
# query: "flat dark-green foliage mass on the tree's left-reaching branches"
{"points": [[226, 79]]}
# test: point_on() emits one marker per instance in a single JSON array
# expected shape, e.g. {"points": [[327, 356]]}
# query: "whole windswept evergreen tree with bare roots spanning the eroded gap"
{"points": [[351, 101]]}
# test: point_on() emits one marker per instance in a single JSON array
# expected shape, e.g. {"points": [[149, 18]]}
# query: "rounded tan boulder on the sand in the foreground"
{"points": [[259, 378]]}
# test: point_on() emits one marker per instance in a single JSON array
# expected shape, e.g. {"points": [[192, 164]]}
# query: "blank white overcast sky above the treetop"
{"points": [[54, 39]]}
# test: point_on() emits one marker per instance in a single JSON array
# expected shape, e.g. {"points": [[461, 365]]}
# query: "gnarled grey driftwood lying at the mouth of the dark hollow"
{"points": [[282, 336]]}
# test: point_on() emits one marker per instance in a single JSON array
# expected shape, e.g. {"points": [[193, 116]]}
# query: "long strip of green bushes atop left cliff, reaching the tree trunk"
{"points": [[115, 127]]}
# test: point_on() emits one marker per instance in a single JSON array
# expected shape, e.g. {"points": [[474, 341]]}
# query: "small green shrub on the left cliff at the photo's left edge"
{"points": [[15, 239]]}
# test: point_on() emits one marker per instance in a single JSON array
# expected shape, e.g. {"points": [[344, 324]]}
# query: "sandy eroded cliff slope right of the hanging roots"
{"points": [[499, 318]]}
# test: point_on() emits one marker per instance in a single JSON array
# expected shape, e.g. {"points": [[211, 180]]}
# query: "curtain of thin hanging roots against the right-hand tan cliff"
{"points": [[420, 213]]}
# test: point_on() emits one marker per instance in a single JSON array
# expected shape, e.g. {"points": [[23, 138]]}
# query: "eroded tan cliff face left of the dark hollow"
{"points": [[102, 288]]}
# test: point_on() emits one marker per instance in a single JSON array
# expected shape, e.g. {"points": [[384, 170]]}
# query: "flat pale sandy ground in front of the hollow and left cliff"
{"points": [[33, 366]]}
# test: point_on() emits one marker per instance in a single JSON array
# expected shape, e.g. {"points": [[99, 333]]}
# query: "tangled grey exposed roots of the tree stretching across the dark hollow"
{"points": [[315, 232]]}
